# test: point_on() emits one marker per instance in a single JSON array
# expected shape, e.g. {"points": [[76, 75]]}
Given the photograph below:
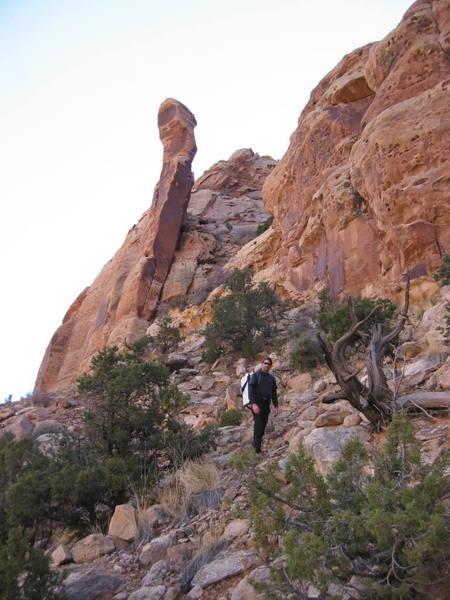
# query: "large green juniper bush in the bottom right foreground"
{"points": [[389, 528]]}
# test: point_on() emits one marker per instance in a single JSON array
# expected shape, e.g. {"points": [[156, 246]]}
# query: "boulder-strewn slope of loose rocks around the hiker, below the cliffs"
{"points": [[201, 544]]}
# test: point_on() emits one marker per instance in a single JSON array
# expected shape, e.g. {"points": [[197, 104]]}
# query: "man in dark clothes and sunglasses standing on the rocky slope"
{"points": [[262, 391]]}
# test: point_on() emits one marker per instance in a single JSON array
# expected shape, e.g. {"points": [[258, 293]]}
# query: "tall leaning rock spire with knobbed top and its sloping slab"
{"points": [[123, 298]]}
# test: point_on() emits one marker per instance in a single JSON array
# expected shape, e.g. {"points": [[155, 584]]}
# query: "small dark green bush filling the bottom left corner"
{"points": [[25, 572]]}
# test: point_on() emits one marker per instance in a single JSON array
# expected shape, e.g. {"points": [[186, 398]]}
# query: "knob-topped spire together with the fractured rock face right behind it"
{"points": [[172, 258]]}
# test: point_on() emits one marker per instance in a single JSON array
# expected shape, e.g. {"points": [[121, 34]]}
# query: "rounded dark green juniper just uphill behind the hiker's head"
{"points": [[242, 320]]}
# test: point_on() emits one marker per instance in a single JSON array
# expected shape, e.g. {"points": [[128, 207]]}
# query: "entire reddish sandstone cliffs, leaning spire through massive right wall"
{"points": [[359, 199]]}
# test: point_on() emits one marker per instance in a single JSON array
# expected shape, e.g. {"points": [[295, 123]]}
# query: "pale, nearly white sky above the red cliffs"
{"points": [[81, 83]]}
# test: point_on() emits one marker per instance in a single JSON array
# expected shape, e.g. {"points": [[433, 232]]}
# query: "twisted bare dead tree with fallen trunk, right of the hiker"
{"points": [[375, 400]]}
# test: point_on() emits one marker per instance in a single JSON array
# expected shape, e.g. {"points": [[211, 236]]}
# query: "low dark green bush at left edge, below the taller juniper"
{"points": [[37, 491]]}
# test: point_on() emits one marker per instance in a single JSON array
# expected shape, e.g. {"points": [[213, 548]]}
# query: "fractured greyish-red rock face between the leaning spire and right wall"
{"points": [[224, 212]]}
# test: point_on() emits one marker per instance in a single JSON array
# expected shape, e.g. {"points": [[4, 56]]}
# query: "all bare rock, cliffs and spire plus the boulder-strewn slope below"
{"points": [[359, 199]]}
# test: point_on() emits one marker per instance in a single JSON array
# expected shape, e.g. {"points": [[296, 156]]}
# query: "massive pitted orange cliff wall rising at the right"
{"points": [[362, 194]]}
